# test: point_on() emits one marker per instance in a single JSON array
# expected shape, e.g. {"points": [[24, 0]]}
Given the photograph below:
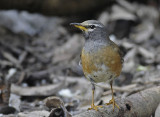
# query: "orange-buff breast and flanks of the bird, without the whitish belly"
{"points": [[108, 56]]}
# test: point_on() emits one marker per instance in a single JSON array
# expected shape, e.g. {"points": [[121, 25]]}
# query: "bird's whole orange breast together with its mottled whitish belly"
{"points": [[101, 64]]}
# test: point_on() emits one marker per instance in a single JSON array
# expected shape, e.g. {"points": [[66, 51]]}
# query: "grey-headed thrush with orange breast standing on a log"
{"points": [[101, 58]]}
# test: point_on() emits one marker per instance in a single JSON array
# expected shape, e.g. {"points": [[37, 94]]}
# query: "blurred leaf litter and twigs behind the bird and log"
{"points": [[40, 53]]}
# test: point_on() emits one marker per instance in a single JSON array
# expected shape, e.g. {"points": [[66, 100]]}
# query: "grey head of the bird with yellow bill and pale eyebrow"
{"points": [[92, 29]]}
